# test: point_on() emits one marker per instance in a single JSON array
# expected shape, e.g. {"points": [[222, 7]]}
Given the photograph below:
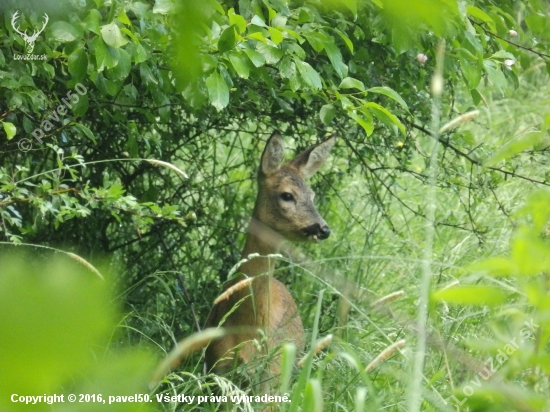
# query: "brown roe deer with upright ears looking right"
{"points": [[284, 210]]}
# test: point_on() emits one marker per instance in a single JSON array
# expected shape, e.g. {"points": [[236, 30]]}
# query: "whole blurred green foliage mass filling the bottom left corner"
{"points": [[57, 326]]}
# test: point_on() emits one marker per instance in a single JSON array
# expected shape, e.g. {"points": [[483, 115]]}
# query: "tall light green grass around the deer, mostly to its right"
{"points": [[367, 258]]}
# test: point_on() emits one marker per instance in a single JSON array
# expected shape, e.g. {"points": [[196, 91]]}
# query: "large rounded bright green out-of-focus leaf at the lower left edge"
{"points": [[57, 303]]}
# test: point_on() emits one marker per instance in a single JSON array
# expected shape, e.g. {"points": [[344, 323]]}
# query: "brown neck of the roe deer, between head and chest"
{"points": [[264, 241]]}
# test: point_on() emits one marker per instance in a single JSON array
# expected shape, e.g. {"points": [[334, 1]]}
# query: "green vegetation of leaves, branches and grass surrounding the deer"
{"points": [[149, 176]]}
